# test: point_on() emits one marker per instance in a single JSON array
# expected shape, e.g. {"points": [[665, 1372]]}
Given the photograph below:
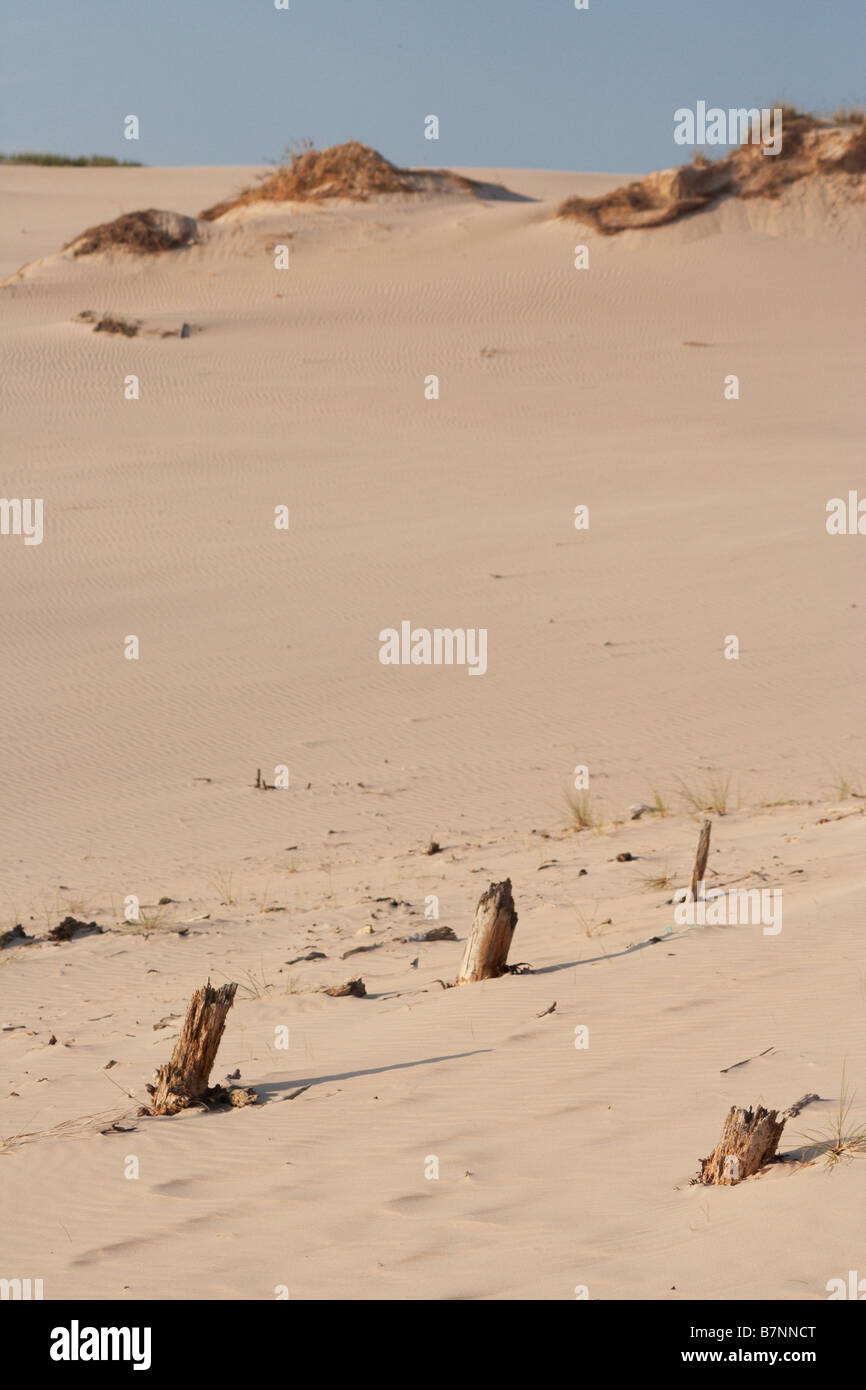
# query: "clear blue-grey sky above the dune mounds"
{"points": [[525, 84]]}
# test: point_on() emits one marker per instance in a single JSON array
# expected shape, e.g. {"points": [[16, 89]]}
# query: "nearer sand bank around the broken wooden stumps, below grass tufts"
{"points": [[557, 1167]]}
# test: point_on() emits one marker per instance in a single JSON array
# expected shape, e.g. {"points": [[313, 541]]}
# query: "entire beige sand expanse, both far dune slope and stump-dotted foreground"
{"points": [[261, 648]]}
